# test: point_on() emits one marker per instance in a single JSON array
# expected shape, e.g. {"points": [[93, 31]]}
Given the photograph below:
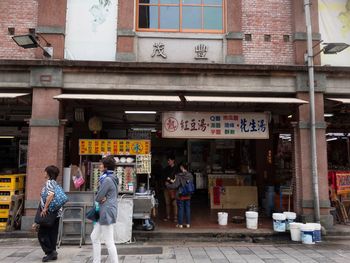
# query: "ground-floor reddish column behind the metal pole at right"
{"points": [[304, 191]]}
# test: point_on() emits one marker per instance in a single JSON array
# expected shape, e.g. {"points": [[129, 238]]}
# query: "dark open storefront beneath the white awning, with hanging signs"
{"points": [[231, 153]]}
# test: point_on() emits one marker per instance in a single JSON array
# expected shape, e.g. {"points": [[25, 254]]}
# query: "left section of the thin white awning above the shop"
{"points": [[117, 97]]}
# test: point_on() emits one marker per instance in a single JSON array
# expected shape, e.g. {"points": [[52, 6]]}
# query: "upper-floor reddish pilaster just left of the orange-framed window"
{"points": [[126, 34]]}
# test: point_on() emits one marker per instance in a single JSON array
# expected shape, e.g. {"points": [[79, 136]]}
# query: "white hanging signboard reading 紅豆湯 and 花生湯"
{"points": [[210, 125]]}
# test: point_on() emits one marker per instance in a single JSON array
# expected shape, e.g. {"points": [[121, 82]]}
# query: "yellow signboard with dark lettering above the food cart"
{"points": [[114, 147]]}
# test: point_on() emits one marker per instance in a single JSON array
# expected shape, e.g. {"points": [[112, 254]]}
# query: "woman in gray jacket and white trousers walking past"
{"points": [[106, 198]]}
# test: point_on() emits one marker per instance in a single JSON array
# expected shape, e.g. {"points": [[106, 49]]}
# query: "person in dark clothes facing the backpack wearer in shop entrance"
{"points": [[170, 194]]}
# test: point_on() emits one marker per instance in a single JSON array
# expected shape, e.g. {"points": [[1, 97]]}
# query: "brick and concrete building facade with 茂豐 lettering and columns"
{"points": [[212, 48]]}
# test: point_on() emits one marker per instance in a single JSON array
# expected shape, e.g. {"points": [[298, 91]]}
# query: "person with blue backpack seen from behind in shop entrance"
{"points": [[183, 183]]}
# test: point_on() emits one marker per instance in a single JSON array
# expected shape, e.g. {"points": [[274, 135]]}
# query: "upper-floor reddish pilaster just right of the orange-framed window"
{"points": [[234, 36]]}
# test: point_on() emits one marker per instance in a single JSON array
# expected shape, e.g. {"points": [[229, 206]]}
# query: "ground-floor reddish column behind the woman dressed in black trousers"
{"points": [[46, 136]]}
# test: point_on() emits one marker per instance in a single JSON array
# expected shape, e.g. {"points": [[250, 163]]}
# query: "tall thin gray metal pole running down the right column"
{"points": [[310, 64]]}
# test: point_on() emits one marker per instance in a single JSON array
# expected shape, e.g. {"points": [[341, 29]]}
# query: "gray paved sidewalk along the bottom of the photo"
{"points": [[28, 251]]}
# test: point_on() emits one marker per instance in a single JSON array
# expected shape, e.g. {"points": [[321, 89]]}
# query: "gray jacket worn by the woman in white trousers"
{"points": [[108, 209]]}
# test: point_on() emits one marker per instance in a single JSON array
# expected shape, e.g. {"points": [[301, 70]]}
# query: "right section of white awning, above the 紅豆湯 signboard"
{"points": [[245, 99]]}
